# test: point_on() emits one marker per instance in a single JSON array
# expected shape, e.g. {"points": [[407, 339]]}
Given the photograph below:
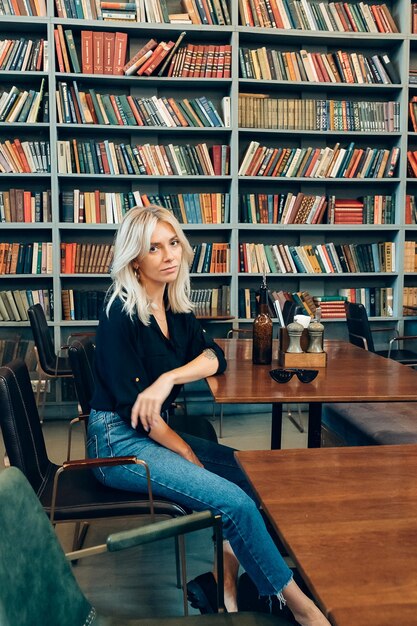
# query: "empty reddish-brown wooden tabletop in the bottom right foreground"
{"points": [[348, 517]]}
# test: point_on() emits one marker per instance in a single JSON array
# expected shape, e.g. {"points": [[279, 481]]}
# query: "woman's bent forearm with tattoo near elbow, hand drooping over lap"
{"points": [[147, 408]]}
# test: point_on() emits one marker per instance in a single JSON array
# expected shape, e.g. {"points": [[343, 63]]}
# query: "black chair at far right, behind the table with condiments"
{"points": [[360, 334]]}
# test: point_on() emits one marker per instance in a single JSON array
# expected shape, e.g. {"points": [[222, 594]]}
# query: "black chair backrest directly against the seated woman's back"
{"points": [[81, 356]]}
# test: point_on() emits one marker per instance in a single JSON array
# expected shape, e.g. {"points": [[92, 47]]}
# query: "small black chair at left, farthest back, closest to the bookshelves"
{"points": [[50, 365]]}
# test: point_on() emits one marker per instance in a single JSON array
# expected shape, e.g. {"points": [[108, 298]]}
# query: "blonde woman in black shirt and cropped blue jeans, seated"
{"points": [[148, 344]]}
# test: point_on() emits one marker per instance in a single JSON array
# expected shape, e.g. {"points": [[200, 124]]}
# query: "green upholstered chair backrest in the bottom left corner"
{"points": [[36, 581]]}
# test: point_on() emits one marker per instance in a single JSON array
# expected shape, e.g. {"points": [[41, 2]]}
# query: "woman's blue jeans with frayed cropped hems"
{"points": [[219, 487]]}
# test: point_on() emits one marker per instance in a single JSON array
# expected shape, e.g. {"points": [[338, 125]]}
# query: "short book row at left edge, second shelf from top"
{"points": [[24, 55]]}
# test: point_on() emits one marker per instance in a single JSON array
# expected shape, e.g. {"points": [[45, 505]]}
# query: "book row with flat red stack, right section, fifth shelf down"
{"points": [[300, 208]]}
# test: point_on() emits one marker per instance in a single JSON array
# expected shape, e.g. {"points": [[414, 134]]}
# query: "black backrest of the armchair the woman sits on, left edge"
{"points": [[20, 424]]}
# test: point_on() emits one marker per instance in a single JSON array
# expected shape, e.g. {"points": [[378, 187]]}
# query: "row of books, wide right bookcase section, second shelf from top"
{"points": [[317, 67]]}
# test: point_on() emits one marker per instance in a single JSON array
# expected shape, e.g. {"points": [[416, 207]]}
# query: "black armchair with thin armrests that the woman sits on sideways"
{"points": [[70, 492]]}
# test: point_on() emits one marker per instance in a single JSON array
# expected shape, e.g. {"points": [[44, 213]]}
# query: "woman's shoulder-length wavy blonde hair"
{"points": [[132, 242]]}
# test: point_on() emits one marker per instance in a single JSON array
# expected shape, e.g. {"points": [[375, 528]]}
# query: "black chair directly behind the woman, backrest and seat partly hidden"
{"points": [[81, 356]]}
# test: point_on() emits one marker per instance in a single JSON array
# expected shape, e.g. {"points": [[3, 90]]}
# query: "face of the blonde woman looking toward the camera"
{"points": [[162, 263]]}
